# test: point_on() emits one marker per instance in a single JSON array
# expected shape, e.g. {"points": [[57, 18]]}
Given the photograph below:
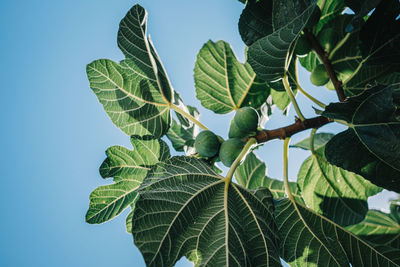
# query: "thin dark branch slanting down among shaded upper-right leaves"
{"points": [[316, 46]]}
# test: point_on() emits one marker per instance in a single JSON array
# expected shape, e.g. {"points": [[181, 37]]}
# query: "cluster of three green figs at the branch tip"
{"points": [[243, 124]]}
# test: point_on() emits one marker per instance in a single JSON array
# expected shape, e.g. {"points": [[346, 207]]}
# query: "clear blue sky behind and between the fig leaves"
{"points": [[54, 131]]}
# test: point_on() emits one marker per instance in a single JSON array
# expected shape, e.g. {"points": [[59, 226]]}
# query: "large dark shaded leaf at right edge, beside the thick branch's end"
{"points": [[371, 145]]}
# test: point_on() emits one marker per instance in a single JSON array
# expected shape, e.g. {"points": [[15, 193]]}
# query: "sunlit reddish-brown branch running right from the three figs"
{"points": [[287, 131]]}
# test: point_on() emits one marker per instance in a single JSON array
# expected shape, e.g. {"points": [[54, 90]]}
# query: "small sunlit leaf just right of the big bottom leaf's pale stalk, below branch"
{"points": [[251, 174]]}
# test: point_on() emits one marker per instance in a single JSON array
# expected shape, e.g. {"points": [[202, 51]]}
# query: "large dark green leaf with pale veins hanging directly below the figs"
{"points": [[186, 209]]}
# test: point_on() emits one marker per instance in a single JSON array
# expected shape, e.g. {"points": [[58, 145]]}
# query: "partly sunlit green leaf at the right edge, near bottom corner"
{"points": [[378, 228]]}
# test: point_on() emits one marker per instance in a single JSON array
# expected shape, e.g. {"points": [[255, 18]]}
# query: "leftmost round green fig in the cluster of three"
{"points": [[207, 144]]}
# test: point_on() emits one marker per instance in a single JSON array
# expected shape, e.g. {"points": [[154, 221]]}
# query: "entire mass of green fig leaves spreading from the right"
{"points": [[183, 205]]}
